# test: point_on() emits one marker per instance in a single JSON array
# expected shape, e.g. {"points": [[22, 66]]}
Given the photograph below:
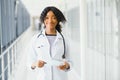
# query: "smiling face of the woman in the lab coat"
{"points": [[50, 20]]}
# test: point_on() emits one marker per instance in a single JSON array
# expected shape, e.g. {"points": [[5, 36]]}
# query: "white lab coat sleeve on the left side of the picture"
{"points": [[31, 53]]}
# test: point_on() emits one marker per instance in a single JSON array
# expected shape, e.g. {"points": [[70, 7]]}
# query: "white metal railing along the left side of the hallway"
{"points": [[9, 61]]}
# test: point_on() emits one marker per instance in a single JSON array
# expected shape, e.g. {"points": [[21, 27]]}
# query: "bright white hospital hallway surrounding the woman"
{"points": [[92, 27]]}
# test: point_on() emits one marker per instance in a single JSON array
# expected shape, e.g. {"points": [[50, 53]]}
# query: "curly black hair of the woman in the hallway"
{"points": [[59, 15]]}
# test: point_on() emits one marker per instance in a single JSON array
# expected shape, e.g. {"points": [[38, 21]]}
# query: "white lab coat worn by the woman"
{"points": [[40, 50]]}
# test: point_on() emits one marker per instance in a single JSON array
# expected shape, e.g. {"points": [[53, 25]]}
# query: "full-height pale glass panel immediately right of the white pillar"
{"points": [[95, 60]]}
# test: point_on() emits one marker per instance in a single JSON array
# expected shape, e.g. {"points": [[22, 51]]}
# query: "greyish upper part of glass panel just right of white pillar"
{"points": [[95, 25]]}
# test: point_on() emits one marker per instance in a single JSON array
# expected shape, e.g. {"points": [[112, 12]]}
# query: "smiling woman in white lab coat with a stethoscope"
{"points": [[48, 53]]}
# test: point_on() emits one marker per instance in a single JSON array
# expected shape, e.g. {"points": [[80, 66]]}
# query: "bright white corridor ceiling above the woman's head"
{"points": [[36, 6]]}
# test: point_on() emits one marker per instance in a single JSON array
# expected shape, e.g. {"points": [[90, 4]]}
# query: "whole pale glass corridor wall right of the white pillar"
{"points": [[102, 51]]}
